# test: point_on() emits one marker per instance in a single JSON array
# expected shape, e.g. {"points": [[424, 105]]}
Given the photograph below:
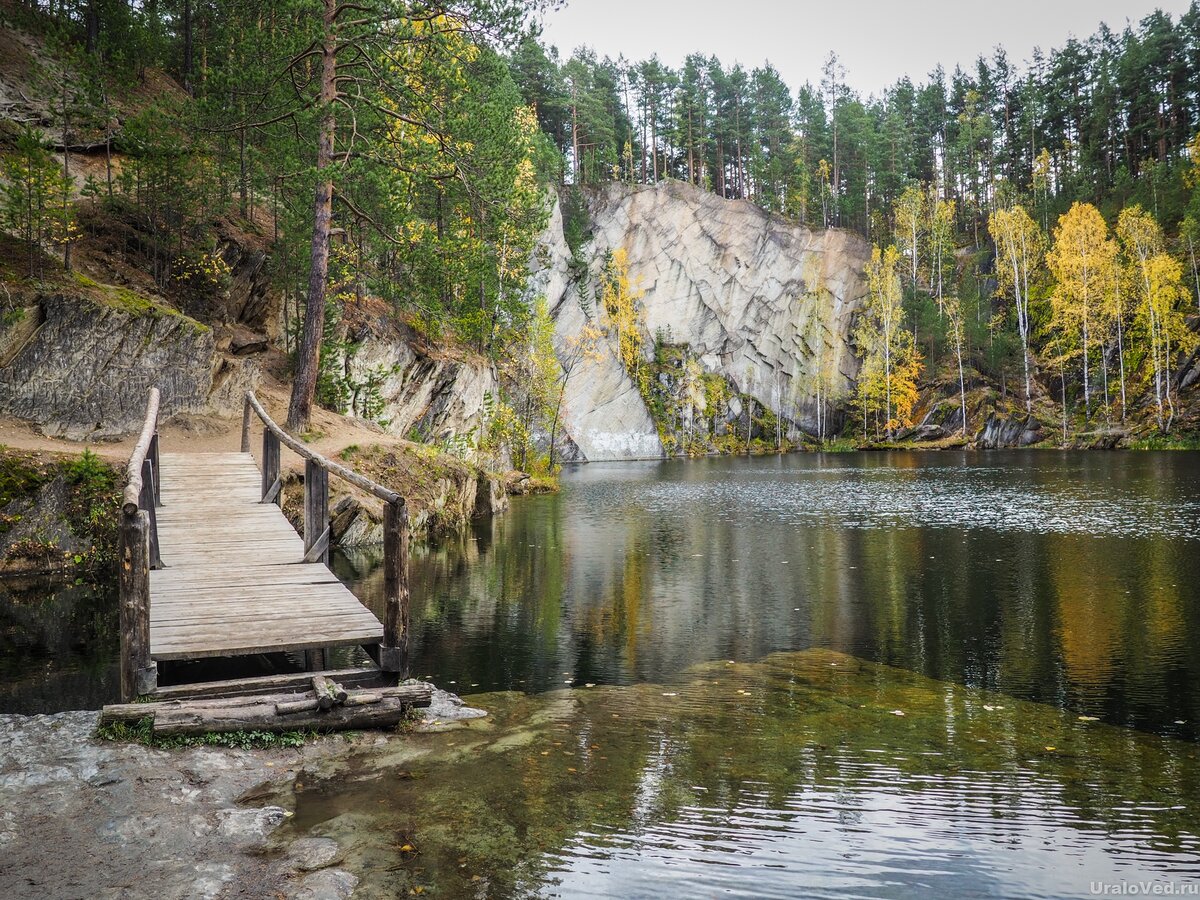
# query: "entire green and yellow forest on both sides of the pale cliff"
{"points": [[1035, 223]]}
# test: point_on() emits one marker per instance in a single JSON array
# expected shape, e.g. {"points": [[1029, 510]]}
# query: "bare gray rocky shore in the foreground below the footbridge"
{"points": [[83, 818]]}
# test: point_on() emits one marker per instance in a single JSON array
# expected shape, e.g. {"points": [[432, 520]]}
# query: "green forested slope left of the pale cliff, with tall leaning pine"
{"points": [[373, 151]]}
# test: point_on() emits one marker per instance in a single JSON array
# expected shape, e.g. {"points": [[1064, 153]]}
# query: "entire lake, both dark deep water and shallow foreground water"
{"points": [[878, 676]]}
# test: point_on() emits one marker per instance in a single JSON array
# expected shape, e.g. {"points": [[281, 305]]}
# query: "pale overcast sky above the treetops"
{"points": [[878, 43]]}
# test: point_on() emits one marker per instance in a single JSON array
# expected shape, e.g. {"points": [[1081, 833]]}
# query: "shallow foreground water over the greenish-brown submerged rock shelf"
{"points": [[793, 777]]}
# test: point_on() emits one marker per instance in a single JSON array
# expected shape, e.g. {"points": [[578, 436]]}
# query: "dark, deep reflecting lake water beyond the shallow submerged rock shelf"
{"points": [[1066, 579]]}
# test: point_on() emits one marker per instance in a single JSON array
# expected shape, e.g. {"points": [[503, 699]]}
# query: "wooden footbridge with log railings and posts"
{"points": [[211, 567]]}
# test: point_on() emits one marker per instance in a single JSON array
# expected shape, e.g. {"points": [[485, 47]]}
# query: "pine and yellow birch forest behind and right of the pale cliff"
{"points": [[962, 182]]}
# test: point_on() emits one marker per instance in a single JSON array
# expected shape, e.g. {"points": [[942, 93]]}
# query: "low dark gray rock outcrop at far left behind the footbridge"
{"points": [[82, 370]]}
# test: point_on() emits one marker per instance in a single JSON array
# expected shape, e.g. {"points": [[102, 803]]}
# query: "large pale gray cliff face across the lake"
{"points": [[760, 302]]}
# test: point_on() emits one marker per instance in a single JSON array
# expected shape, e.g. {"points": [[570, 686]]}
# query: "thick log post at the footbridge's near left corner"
{"points": [[140, 675]]}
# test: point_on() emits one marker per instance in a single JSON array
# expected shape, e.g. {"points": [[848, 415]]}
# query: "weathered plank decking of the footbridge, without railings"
{"points": [[233, 583]]}
